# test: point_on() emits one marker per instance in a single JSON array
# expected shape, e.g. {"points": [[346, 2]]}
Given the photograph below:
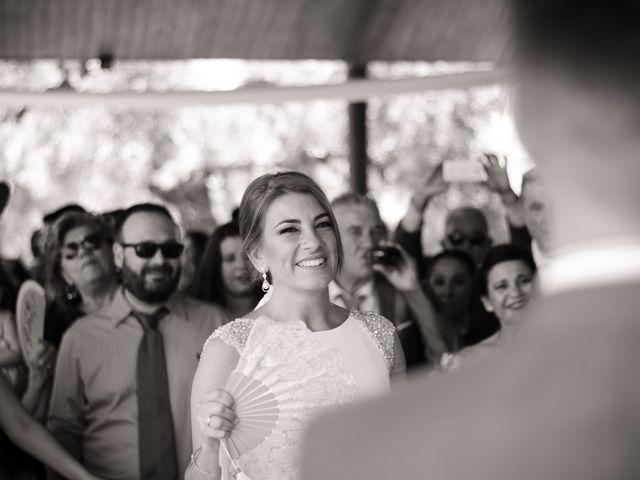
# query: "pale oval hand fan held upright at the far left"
{"points": [[30, 311]]}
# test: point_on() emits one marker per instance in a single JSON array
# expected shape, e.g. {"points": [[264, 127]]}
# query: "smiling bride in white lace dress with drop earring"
{"points": [[318, 353]]}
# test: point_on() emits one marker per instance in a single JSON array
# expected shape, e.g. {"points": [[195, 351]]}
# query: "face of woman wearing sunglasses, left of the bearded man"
{"points": [[86, 257]]}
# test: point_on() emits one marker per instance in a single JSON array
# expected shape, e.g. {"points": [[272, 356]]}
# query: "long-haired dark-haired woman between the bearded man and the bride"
{"points": [[226, 276]]}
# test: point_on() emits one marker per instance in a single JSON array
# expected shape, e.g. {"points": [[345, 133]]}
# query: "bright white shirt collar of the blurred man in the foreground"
{"points": [[592, 264]]}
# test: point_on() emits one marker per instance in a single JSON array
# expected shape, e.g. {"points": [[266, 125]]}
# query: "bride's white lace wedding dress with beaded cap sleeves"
{"points": [[317, 369]]}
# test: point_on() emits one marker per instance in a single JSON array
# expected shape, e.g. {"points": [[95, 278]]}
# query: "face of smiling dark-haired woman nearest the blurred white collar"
{"points": [[509, 290]]}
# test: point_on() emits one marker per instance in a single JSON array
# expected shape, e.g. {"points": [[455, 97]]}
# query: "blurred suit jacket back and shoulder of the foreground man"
{"points": [[561, 402]]}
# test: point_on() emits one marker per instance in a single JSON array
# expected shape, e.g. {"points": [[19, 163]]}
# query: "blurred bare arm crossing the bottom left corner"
{"points": [[33, 438]]}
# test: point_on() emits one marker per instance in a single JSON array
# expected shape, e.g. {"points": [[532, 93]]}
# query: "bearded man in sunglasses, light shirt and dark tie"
{"points": [[120, 399]]}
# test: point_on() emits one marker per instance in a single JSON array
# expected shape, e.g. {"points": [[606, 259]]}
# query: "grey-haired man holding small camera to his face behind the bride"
{"points": [[379, 276]]}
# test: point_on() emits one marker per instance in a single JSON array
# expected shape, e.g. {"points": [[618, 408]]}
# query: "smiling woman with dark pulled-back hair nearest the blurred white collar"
{"points": [[507, 276]]}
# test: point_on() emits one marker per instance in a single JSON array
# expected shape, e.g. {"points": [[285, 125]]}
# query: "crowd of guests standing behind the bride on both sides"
{"points": [[116, 270]]}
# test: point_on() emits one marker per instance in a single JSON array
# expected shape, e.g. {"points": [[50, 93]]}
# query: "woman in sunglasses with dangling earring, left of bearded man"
{"points": [[80, 273]]}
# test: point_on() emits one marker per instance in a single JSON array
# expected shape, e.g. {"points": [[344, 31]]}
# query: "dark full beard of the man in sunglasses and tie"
{"points": [[158, 292]]}
